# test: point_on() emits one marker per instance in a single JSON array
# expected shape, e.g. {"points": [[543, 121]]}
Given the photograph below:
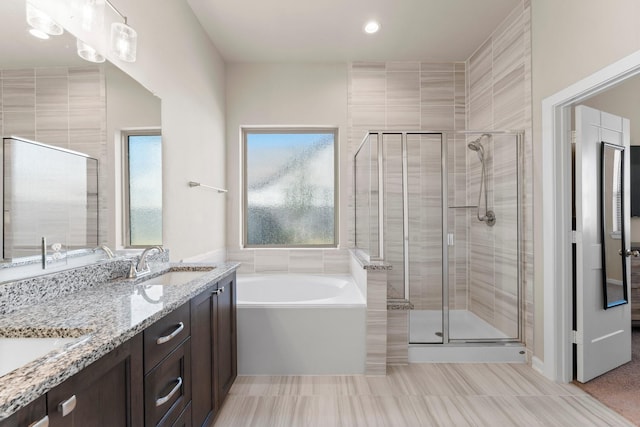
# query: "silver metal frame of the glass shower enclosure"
{"points": [[444, 172]]}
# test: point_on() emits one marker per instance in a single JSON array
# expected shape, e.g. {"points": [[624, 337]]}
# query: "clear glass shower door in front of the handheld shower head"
{"points": [[483, 254]]}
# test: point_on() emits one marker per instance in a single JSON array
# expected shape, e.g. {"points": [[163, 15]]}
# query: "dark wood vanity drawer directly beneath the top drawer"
{"points": [[168, 387]]}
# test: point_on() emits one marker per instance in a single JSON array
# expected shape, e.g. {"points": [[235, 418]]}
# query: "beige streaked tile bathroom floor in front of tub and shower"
{"points": [[415, 395]]}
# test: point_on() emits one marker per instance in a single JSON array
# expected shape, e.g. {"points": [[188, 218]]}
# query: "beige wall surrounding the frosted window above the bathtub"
{"points": [[286, 95]]}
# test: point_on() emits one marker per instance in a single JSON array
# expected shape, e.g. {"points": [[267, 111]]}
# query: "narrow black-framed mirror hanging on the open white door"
{"points": [[614, 251]]}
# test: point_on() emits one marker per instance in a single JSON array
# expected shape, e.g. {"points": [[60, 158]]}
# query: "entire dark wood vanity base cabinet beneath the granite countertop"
{"points": [[176, 373]]}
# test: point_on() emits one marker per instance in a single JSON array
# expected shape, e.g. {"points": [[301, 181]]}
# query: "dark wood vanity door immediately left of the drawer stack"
{"points": [[107, 393]]}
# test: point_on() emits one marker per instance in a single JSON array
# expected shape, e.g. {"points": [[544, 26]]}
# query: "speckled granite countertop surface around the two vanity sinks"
{"points": [[101, 317]]}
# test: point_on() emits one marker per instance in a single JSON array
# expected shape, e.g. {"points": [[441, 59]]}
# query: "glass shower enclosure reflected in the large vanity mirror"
{"points": [[50, 200]]}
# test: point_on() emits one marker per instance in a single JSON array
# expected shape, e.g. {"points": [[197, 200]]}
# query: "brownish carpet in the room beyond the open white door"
{"points": [[619, 389]]}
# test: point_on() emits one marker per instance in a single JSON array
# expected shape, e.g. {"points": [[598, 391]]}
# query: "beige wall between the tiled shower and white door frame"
{"points": [[571, 39]]}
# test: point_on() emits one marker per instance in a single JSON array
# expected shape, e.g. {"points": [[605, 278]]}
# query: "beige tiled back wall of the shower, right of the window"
{"points": [[409, 96]]}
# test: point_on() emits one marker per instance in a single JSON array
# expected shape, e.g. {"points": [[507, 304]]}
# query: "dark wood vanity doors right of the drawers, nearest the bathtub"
{"points": [[214, 366]]}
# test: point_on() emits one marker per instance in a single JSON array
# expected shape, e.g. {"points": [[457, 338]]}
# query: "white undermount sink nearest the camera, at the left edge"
{"points": [[19, 351]]}
